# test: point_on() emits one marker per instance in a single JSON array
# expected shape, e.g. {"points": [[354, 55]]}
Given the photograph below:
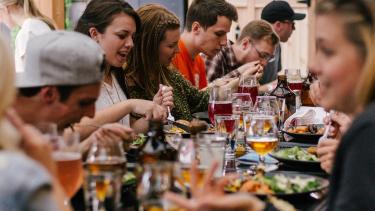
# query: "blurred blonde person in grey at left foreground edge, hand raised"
{"points": [[28, 174]]}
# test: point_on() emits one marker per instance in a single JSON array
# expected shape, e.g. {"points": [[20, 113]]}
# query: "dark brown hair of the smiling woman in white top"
{"points": [[100, 14]]}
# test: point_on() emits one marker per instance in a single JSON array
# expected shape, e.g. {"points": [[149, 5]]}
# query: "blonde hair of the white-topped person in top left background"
{"points": [[30, 10]]}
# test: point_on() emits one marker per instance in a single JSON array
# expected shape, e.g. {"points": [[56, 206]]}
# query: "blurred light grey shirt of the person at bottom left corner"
{"points": [[24, 184]]}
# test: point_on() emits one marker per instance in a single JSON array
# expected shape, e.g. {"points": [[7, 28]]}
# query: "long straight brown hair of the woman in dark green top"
{"points": [[144, 65]]}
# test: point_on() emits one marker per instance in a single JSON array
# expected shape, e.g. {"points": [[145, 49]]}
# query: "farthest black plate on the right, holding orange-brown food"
{"points": [[305, 133]]}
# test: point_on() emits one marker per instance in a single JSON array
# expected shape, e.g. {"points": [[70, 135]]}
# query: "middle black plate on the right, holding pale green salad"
{"points": [[298, 157]]}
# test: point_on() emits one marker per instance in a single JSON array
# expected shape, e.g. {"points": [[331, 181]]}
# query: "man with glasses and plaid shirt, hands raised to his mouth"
{"points": [[247, 56]]}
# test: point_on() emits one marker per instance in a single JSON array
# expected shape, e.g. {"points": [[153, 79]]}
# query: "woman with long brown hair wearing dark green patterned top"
{"points": [[149, 63]]}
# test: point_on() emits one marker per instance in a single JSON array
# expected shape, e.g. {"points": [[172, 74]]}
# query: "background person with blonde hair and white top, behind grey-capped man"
{"points": [[24, 14]]}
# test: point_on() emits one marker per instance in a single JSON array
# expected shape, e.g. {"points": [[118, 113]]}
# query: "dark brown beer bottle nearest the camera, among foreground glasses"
{"points": [[156, 148]]}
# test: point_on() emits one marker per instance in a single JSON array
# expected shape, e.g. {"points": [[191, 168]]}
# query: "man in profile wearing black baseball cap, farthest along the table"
{"points": [[282, 17]]}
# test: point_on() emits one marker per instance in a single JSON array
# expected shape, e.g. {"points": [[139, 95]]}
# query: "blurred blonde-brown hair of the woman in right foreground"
{"points": [[358, 19]]}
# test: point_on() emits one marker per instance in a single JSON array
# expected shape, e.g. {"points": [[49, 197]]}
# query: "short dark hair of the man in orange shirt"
{"points": [[205, 12]]}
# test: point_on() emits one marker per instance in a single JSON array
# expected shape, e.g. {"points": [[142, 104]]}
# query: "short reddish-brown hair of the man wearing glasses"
{"points": [[259, 30]]}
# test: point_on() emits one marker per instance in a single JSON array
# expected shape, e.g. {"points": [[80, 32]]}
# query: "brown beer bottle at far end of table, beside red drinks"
{"points": [[282, 90]]}
